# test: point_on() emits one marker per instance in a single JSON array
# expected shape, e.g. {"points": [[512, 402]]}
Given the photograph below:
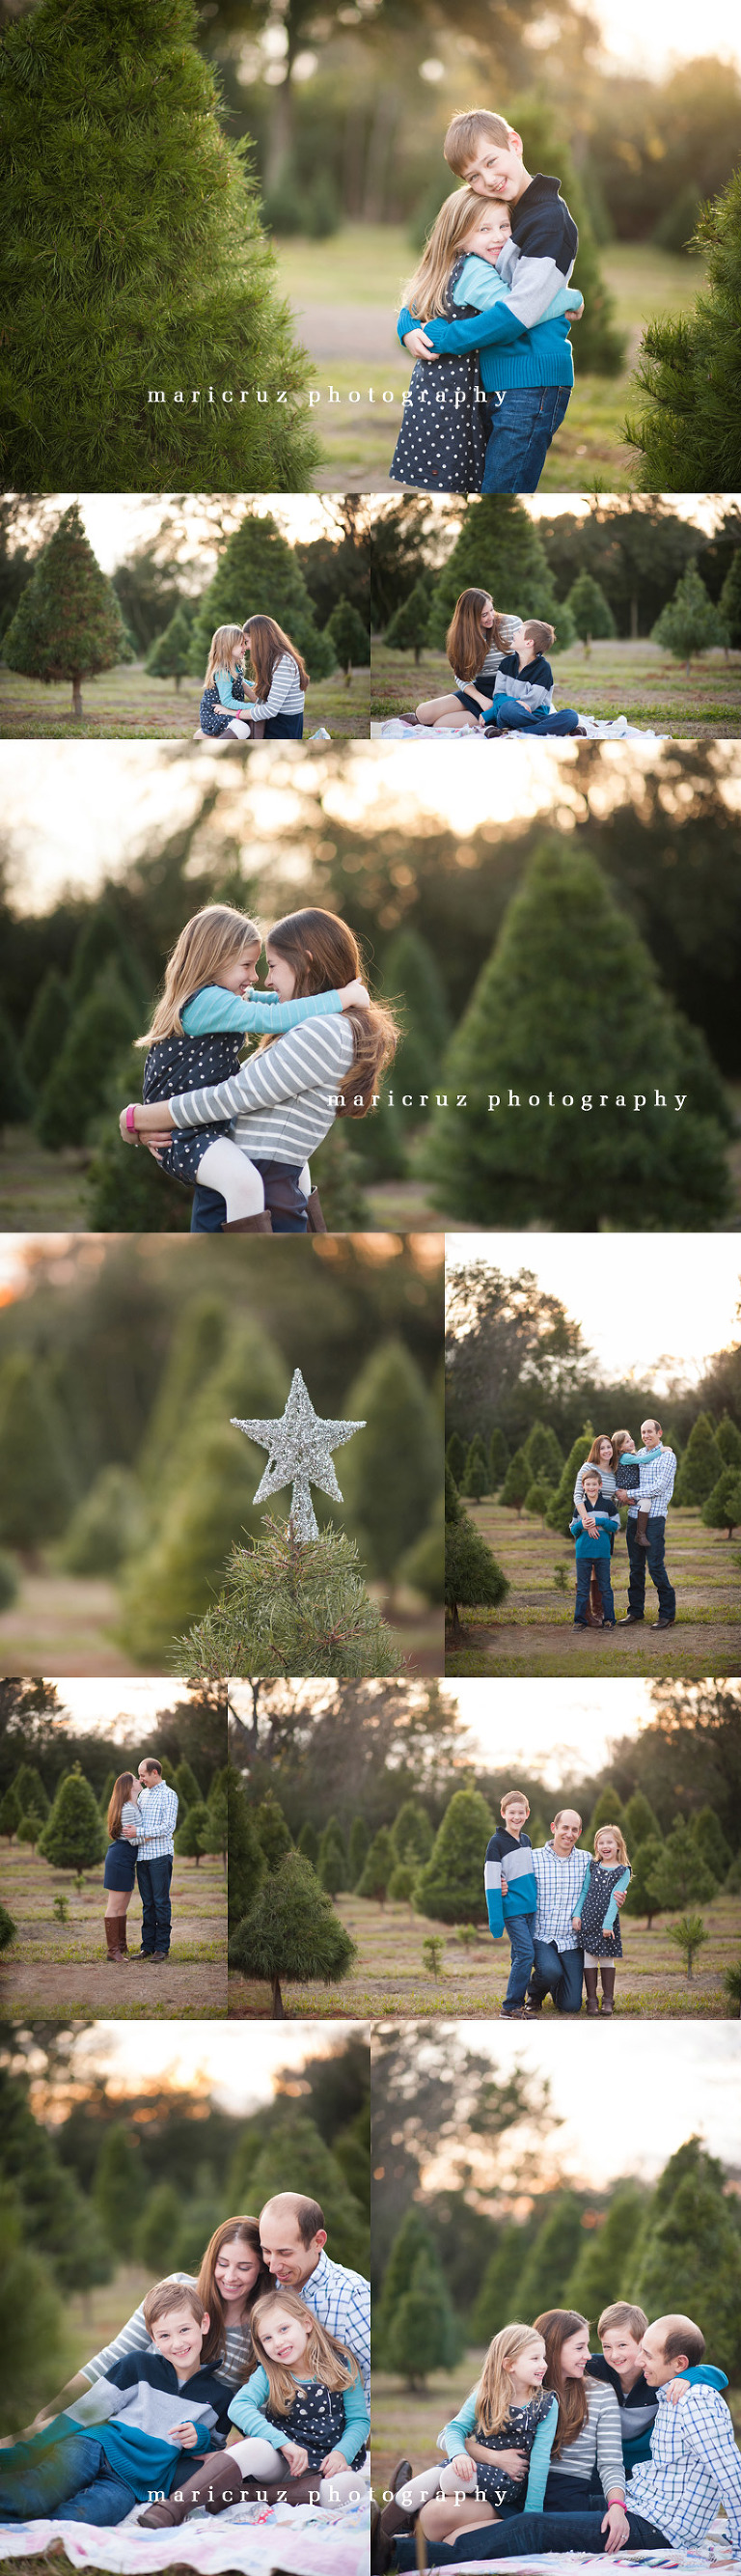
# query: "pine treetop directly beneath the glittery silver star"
{"points": [[289, 1609]]}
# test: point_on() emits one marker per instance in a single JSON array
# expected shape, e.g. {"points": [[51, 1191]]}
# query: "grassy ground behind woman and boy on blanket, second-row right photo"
{"points": [[637, 681]]}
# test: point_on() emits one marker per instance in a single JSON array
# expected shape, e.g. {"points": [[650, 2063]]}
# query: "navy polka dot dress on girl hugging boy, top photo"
{"points": [[444, 447]]}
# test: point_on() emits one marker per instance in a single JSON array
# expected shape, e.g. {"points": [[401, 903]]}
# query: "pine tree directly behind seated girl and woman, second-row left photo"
{"points": [[259, 576]]}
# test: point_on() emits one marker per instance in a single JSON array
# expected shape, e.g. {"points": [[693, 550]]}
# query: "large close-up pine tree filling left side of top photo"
{"points": [[135, 267]]}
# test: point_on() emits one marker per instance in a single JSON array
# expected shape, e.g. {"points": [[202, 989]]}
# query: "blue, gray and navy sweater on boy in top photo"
{"points": [[513, 346]]}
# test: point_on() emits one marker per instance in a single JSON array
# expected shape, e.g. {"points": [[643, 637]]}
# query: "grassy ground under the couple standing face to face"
{"points": [[63, 1969]]}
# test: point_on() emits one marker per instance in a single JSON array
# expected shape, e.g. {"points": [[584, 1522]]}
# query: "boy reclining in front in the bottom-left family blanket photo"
{"points": [[143, 2418]]}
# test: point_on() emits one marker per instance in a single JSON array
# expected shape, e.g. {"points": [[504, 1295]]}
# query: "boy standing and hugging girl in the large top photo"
{"points": [[529, 383]]}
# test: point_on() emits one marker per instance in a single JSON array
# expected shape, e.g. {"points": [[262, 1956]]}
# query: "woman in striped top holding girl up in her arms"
{"points": [[284, 1101]]}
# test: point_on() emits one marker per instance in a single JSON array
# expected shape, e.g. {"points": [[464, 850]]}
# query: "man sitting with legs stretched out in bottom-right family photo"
{"points": [[673, 2500]]}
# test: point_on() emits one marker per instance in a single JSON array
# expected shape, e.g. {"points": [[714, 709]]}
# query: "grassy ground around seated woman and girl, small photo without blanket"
{"points": [[130, 707]]}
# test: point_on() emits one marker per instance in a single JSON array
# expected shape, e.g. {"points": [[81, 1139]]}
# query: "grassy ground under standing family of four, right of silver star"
{"points": [[534, 1632]]}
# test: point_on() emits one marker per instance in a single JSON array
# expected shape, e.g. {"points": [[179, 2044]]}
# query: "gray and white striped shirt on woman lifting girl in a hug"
{"points": [[282, 1101]]}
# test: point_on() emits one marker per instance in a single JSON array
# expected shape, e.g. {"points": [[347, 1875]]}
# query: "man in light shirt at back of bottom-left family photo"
{"points": [[295, 2237]]}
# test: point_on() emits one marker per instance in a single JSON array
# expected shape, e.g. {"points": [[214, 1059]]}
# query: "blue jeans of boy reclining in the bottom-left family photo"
{"points": [[66, 2482]]}
